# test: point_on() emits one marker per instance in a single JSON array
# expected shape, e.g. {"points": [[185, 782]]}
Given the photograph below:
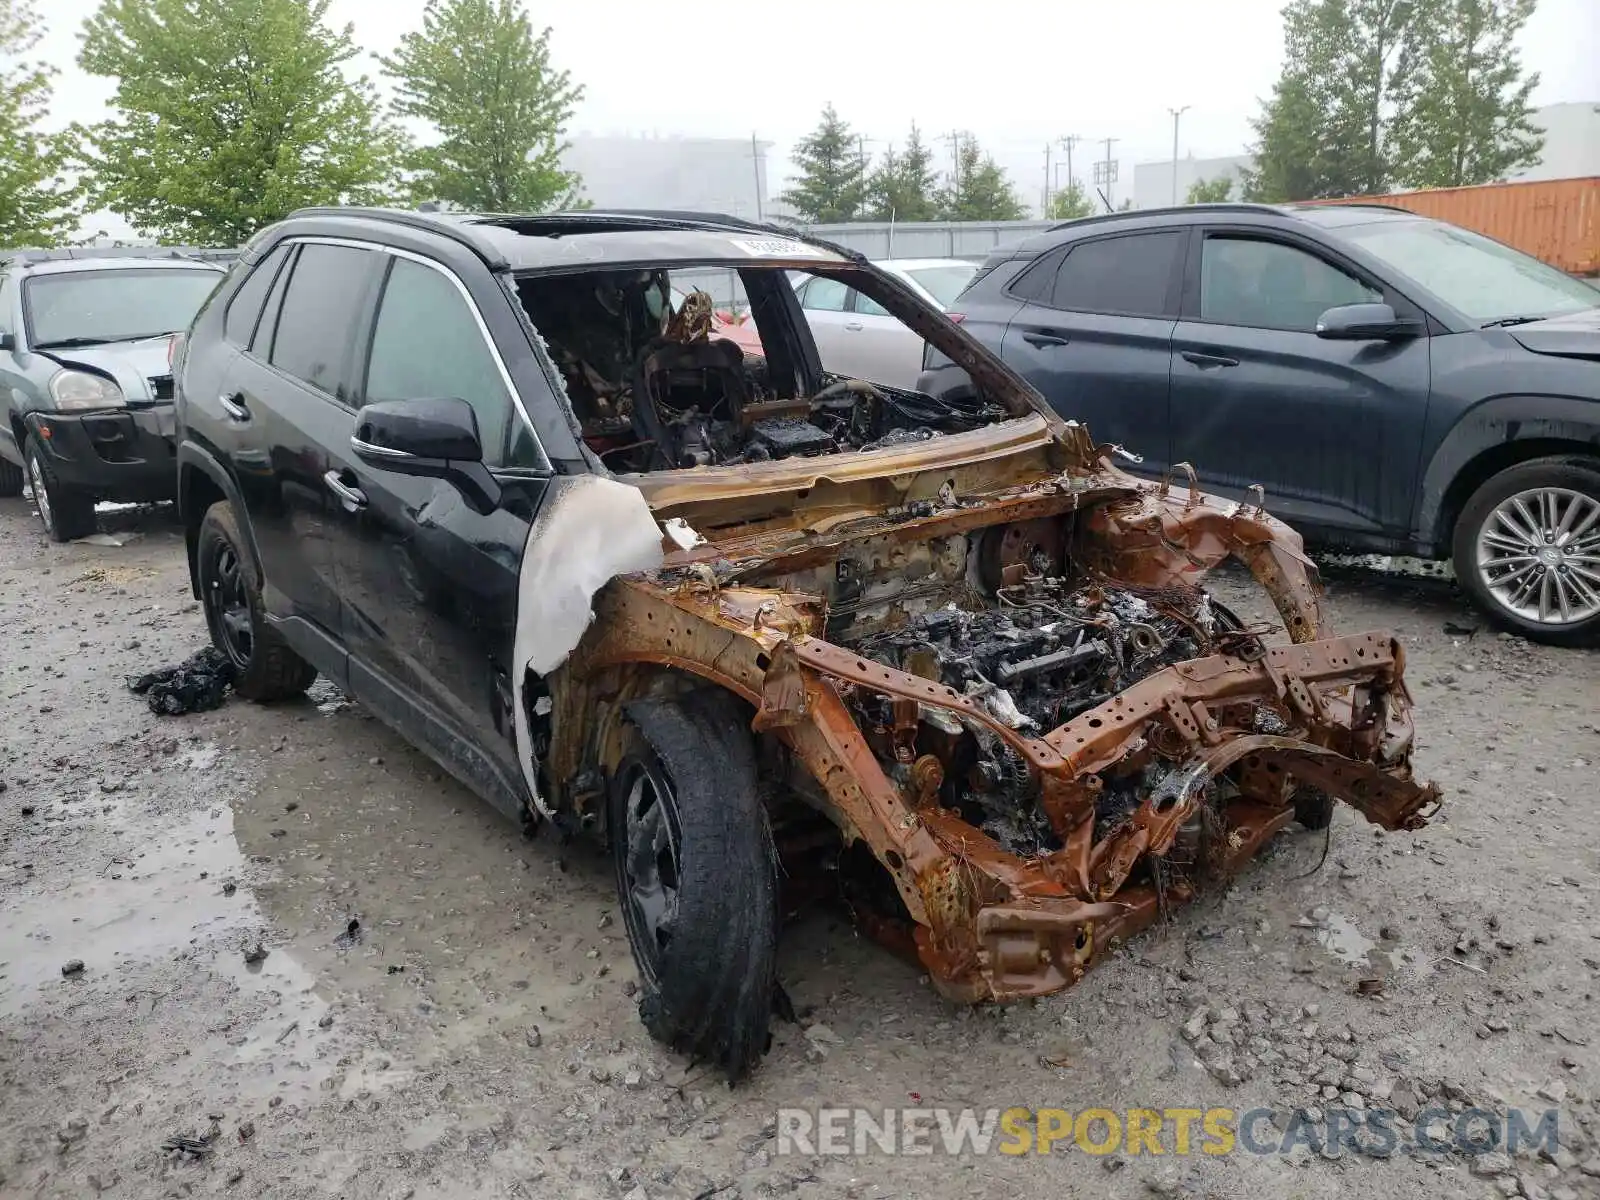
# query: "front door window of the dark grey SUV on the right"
{"points": [[1270, 286]]}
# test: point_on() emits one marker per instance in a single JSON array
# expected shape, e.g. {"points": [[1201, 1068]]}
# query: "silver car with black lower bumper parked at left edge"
{"points": [[86, 382]]}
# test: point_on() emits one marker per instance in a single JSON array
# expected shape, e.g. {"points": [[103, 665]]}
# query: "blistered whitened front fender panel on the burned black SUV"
{"points": [[590, 532]]}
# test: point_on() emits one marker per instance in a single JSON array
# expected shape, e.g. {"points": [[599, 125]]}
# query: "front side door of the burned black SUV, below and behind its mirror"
{"points": [[430, 583]]}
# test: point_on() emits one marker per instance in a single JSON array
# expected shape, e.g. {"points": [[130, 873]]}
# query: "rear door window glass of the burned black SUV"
{"points": [[318, 322]]}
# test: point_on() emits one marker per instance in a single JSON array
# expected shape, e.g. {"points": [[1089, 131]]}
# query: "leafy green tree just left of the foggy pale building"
{"points": [[481, 78]]}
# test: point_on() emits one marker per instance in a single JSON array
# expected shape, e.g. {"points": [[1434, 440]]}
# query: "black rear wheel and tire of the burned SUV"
{"points": [[265, 666]]}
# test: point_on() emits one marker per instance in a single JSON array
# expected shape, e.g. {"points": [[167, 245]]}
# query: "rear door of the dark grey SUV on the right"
{"points": [[1095, 335]]}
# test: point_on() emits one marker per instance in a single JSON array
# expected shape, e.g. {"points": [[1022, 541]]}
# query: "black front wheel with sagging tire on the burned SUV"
{"points": [[698, 879]]}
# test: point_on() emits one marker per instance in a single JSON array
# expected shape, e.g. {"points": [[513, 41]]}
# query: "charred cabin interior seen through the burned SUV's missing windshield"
{"points": [[657, 388]]}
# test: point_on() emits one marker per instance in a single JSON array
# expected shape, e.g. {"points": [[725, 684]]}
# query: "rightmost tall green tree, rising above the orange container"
{"points": [[1466, 119]]}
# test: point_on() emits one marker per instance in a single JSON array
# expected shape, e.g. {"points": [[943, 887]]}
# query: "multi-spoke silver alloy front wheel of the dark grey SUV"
{"points": [[1527, 550]]}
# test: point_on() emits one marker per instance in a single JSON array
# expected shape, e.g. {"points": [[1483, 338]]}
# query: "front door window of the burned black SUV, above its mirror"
{"points": [[428, 346]]}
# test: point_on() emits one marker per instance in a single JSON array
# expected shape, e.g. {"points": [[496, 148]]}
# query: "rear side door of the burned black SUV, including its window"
{"points": [[286, 399]]}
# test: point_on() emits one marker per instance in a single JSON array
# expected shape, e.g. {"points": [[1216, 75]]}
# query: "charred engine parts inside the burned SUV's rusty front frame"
{"points": [[1009, 622]]}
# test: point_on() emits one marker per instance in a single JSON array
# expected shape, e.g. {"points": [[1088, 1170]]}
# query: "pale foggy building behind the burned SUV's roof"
{"points": [[710, 175]]}
